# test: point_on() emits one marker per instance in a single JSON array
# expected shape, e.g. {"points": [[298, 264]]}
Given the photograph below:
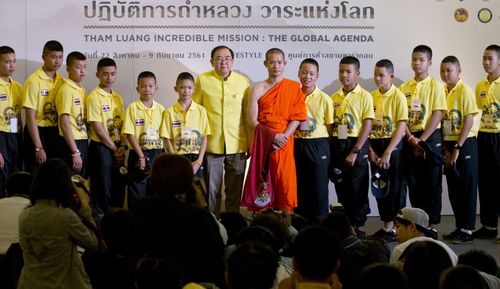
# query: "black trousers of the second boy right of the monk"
{"points": [[352, 191]]}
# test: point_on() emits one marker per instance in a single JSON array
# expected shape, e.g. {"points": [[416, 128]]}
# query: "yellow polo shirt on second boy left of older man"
{"points": [[144, 124]]}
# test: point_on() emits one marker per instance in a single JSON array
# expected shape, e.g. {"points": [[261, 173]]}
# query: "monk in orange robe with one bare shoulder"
{"points": [[279, 105]]}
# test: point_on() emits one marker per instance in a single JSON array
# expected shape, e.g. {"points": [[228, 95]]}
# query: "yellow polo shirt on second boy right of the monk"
{"points": [[352, 109]]}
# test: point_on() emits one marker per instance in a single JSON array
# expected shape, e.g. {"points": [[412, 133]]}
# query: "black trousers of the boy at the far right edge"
{"points": [[489, 174]]}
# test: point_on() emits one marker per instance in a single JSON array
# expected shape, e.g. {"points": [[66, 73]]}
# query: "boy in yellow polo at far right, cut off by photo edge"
{"points": [[488, 142]]}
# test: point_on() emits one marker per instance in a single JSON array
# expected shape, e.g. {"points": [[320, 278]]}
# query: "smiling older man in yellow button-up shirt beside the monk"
{"points": [[221, 92]]}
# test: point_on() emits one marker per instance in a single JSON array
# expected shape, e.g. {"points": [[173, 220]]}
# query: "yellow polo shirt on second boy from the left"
{"points": [[39, 94]]}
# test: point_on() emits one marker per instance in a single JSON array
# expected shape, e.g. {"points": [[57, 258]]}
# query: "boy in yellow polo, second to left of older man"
{"points": [[142, 126]]}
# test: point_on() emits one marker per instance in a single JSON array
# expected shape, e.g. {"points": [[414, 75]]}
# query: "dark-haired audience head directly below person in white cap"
{"points": [[424, 261]]}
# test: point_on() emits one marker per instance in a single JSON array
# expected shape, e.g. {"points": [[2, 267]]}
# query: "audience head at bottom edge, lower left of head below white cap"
{"points": [[382, 276]]}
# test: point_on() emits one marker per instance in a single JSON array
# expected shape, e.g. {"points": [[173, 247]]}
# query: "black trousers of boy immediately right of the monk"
{"points": [[312, 158]]}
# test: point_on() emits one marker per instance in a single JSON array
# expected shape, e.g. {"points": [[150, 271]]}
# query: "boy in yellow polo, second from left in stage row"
{"points": [[42, 136]]}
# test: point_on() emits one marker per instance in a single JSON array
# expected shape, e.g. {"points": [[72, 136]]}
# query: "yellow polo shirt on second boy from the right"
{"points": [[461, 102]]}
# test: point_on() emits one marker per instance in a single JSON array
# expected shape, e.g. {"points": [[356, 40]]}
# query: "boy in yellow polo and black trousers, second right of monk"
{"points": [[349, 149]]}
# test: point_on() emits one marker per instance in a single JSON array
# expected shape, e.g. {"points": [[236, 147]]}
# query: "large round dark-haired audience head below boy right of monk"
{"points": [[316, 252]]}
